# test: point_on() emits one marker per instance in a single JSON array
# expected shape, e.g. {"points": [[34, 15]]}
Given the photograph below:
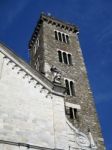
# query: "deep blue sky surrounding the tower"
{"points": [[93, 17]]}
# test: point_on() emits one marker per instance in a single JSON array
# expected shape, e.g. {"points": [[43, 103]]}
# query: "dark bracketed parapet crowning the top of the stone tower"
{"points": [[53, 21]]}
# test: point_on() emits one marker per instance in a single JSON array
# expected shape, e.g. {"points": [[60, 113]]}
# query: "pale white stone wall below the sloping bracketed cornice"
{"points": [[27, 114]]}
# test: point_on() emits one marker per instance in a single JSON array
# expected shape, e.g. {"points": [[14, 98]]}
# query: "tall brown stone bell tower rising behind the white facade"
{"points": [[55, 52]]}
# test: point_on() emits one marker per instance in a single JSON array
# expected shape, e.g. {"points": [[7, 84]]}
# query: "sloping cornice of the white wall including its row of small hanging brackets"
{"points": [[29, 71]]}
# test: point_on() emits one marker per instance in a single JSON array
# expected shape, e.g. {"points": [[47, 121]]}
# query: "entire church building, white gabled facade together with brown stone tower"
{"points": [[48, 104]]}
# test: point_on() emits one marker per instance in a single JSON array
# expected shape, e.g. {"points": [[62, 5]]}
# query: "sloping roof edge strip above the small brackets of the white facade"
{"points": [[54, 89]]}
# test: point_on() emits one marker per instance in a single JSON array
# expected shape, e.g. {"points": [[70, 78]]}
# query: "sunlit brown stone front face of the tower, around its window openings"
{"points": [[77, 73]]}
